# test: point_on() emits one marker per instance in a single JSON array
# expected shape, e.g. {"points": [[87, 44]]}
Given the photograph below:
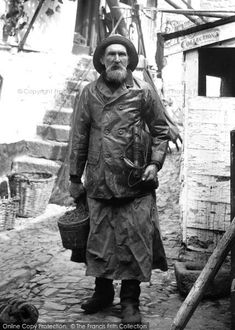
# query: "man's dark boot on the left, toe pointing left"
{"points": [[102, 297]]}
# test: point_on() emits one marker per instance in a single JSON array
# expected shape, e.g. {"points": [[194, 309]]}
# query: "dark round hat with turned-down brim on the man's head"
{"points": [[115, 39]]}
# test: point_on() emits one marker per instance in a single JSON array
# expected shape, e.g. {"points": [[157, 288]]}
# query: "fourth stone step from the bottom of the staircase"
{"points": [[58, 117]]}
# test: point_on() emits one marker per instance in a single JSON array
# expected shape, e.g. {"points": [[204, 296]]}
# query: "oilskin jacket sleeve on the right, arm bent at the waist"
{"points": [[153, 115]]}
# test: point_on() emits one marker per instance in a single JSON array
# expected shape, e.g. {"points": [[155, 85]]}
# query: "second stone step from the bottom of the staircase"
{"points": [[52, 150]]}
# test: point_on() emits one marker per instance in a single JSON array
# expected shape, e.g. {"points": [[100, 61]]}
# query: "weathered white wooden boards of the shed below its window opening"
{"points": [[206, 187]]}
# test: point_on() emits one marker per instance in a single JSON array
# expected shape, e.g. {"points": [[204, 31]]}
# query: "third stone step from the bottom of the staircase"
{"points": [[54, 132]]}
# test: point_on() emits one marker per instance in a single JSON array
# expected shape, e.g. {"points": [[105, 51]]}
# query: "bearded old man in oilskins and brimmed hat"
{"points": [[120, 138]]}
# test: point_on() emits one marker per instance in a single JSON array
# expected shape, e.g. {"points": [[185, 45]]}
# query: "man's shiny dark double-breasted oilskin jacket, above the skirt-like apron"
{"points": [[103, 130]]}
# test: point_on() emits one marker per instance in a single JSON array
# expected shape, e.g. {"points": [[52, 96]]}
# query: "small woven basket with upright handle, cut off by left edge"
{"points": [[8, 209]]}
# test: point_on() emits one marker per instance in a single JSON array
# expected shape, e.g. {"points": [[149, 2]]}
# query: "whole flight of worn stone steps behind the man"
{"points": [[47, 152]]}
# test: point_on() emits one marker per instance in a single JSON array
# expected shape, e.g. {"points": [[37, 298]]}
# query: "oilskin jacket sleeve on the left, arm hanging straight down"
{"points": [[80, 137]]}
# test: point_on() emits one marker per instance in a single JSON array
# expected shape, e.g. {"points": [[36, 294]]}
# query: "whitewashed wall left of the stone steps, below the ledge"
{"points": [[31, 84]]}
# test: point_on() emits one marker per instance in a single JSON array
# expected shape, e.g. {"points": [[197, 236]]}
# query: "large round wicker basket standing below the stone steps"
{"points": [[33, 190]]}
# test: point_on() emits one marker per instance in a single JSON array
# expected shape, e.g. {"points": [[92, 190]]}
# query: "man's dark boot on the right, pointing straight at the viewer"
{"points": [[129, 295]]}
